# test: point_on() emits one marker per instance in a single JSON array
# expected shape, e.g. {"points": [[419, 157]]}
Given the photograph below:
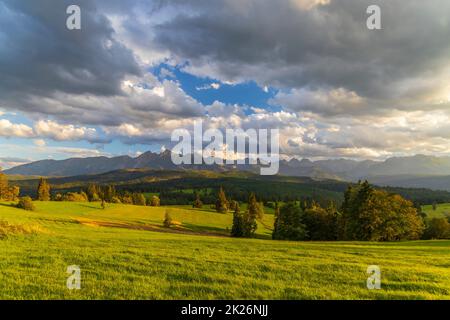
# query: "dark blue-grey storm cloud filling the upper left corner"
{"points": [[39, 55]]}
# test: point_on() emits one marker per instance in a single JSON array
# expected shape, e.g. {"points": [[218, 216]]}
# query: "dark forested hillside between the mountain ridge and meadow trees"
{"points": [[177, 186]]}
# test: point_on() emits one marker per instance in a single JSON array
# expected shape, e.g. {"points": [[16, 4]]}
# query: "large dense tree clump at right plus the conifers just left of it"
{"points": [[367, 214]]}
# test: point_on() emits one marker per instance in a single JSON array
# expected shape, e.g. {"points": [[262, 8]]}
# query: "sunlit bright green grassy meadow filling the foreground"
{"points": [[124, 253]]}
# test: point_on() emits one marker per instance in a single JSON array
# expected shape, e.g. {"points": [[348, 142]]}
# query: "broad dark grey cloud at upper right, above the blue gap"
{"points": [[279, 43]]}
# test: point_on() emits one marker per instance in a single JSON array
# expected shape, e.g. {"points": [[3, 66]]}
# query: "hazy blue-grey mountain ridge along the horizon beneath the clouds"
{"points": [[418, 171]]}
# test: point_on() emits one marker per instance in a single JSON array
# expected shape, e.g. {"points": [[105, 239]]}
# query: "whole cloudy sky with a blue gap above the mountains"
{"points": [[139, 69]]}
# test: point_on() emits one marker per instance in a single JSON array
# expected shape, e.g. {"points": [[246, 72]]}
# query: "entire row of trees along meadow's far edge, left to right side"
{"points": [[366, 213]]}
